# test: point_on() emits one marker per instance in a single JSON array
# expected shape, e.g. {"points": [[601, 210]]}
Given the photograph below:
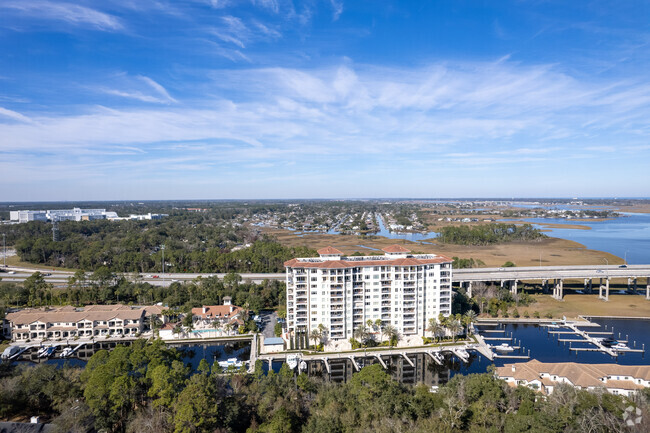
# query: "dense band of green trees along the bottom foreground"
{"points": [[146, 387]]}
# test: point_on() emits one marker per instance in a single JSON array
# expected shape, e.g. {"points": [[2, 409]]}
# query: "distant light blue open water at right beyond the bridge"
{"points": [[628, 235]]}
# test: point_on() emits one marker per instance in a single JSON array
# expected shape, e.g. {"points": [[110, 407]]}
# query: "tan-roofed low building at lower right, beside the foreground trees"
{"points": [[544, 377]]}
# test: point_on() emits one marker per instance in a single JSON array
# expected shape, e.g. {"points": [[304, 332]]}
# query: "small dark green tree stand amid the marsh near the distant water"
{"points": [[489, 234]]}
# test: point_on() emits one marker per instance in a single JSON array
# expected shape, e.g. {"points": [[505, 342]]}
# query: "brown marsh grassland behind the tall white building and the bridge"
{"points": [[552, 251]]}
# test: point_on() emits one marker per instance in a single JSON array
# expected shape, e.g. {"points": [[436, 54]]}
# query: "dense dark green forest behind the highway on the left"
{"points": [[193, 243]]}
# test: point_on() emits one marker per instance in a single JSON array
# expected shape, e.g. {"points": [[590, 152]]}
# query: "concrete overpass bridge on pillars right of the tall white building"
{"points": [[554, 276]]}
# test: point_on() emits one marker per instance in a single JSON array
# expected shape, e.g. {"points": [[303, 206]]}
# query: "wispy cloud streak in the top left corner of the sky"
{"points": [[68, 13]]}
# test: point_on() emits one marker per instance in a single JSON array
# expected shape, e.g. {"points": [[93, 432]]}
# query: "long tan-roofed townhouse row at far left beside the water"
{"points": [[70, 322]]}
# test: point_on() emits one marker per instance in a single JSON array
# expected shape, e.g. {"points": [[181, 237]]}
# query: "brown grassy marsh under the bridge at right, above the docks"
{"points": [[589, 305]]}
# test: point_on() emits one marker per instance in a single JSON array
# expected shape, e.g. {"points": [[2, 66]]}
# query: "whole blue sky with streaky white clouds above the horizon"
{"points": [[155, 99]]}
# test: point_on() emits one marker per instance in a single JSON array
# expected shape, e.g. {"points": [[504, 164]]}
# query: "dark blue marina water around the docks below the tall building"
{"points": [[542, 345]]}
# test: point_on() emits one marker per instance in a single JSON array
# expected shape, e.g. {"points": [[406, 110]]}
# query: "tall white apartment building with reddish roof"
{"points": [[398, 288]]}
